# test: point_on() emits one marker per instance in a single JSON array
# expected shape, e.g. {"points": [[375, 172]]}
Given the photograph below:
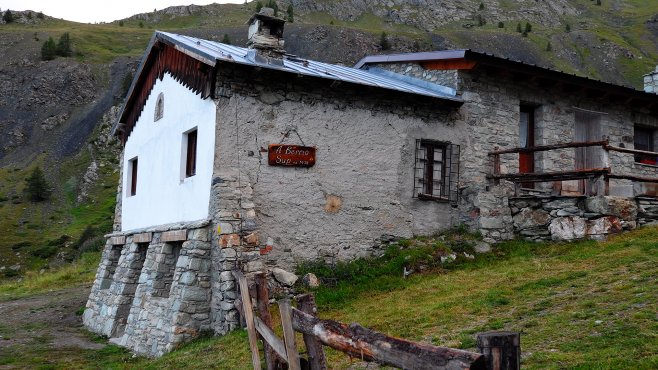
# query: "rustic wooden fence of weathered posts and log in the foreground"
{"points": [[353, 339]]}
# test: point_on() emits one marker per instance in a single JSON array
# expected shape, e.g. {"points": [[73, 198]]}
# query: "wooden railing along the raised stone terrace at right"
{"points": [[589, 174]]}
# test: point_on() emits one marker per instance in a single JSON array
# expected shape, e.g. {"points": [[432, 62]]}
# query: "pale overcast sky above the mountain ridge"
{"points": [[92, 11]]}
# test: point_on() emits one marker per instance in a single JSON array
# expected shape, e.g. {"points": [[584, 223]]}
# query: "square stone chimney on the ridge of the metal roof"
{"points": [[266, 36]]}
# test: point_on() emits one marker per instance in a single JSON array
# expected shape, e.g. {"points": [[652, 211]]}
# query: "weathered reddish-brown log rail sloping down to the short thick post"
{"points": [[369, 345]]}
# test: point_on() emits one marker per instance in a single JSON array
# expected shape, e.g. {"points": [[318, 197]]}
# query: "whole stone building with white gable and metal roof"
{"points": [[254, 158]]}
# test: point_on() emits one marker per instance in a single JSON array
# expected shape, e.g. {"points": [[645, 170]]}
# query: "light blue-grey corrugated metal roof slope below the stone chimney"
{"points": [[210, 51]]}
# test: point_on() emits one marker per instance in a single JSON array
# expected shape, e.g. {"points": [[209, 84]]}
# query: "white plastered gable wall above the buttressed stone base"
{"points": [[163, 193]]}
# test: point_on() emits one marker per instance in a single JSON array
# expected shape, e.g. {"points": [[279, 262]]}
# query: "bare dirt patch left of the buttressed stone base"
{"points": [[51, 319]]}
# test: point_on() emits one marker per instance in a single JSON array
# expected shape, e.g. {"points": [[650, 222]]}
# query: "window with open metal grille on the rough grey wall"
{"points": [[436, 171]]}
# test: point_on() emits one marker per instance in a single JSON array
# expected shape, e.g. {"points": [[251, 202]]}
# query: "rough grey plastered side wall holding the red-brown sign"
{"points": [[361, 188]]}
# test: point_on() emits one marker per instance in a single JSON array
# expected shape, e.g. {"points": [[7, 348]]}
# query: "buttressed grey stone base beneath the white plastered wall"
{"points": [[153, 289]]}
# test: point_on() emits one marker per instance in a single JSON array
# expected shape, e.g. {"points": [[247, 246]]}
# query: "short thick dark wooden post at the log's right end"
{"points": [[501, 349]]}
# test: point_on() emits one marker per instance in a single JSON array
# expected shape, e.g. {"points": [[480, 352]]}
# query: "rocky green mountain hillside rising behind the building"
{"points": [[58, 114]]}
